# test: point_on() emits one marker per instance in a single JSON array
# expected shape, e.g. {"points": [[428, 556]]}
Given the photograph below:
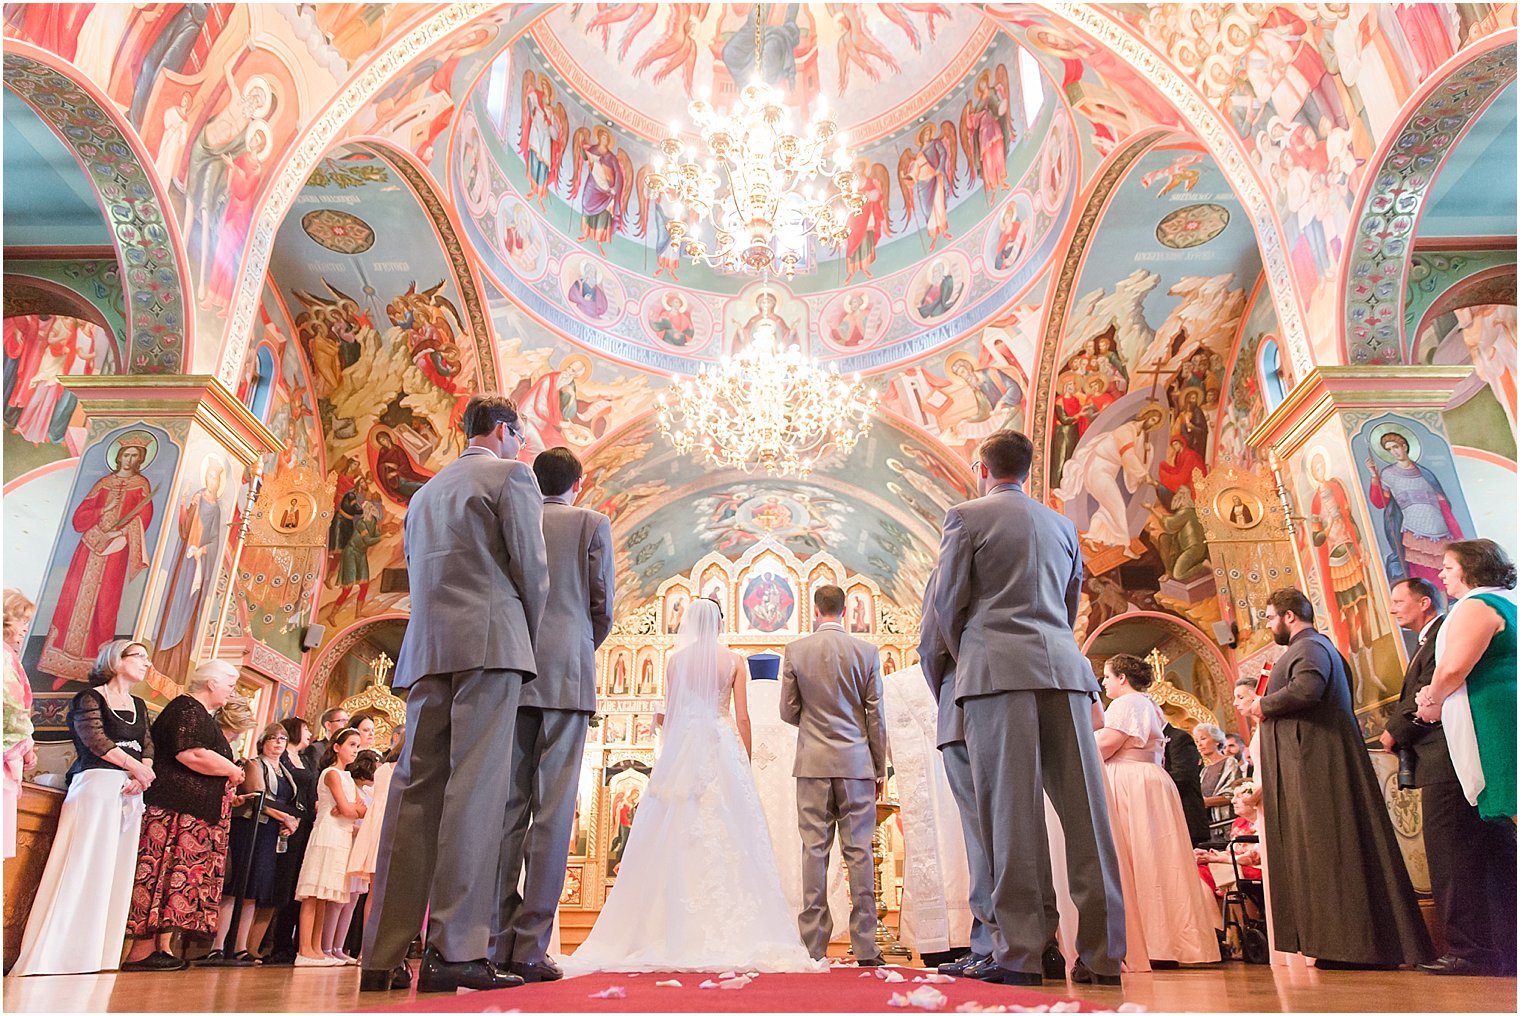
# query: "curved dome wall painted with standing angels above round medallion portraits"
{"points": [[934, 214]]}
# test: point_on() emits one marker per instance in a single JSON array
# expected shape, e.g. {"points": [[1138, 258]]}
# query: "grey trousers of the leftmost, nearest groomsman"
{"points": [[442, 840]]}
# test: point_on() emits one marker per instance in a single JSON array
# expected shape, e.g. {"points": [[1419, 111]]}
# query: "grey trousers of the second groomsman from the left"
{"points": [[540, 816]]}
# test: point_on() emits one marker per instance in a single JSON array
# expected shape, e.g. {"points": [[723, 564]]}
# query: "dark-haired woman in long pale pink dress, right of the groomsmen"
{"points": [[1170, 913]]}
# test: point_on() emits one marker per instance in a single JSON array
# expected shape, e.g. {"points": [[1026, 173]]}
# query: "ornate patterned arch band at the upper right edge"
{"points": [[1395, 191]]}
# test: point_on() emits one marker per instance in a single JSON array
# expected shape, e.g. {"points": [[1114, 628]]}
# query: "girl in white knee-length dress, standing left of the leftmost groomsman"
{"points": [[325, 872]]}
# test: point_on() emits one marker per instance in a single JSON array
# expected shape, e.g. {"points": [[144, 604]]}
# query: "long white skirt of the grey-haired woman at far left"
{"points": [[78, 919]]}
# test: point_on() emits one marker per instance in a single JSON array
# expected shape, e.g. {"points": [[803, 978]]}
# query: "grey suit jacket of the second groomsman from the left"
{"points": [[580, 609]]}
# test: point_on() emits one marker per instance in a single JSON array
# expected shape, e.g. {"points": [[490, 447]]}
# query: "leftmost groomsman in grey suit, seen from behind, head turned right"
{"points": [[480, 580]]}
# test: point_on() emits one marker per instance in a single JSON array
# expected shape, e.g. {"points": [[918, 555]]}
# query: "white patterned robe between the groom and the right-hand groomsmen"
{"points": [[937, 883]]}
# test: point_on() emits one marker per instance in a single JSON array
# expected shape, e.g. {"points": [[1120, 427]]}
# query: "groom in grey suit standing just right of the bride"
{"points": [[832, 693]]}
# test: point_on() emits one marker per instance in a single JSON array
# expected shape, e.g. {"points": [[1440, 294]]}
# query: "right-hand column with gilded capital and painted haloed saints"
{"points": [[1372, 491]]}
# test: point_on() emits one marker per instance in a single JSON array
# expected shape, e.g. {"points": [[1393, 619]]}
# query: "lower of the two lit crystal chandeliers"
{"points": [[767, 408]]}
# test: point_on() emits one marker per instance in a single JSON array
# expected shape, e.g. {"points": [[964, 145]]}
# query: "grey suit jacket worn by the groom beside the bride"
{"points": [[832, 694]]}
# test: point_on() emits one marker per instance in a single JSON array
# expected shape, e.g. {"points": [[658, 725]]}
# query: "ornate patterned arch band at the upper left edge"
{"points": [[147, 238]]}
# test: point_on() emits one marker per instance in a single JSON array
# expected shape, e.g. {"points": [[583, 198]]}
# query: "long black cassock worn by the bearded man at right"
{"points": [[1340, 889]]}
